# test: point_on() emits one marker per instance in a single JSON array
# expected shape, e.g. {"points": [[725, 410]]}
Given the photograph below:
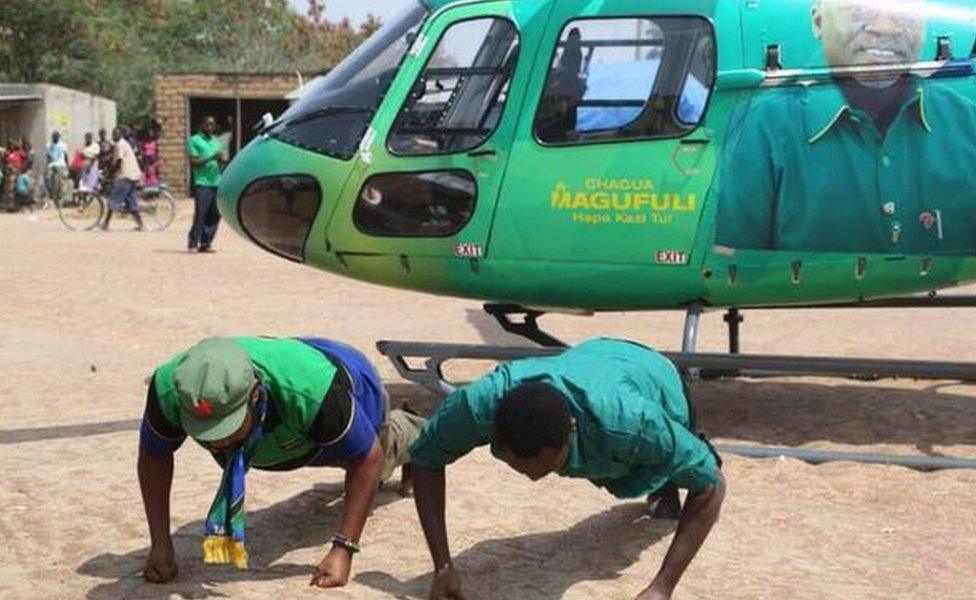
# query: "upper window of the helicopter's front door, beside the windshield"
{"points": [[457, 102]]}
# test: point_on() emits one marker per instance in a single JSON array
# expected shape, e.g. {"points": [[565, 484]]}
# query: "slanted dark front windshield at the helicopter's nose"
{"points": [[332, 116]]}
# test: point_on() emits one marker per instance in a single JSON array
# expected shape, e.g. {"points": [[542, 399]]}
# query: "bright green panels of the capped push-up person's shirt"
{"points": [[297, 375]]}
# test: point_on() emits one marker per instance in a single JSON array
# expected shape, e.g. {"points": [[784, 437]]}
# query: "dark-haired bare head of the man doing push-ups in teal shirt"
{"points": [[533, 425]]}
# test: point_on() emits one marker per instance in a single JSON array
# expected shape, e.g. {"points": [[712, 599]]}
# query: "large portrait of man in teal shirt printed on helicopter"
{"points": [[864, 163]]}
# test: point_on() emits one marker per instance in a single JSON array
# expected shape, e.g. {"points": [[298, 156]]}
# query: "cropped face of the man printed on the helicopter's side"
{"points": [[870, 32]]}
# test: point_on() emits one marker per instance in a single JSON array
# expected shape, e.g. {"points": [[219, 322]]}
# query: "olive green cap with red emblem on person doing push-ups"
{"points": [[214, 380]]}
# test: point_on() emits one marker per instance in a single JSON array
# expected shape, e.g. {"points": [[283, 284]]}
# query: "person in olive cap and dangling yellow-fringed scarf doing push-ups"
{"points": [[274, 404]]}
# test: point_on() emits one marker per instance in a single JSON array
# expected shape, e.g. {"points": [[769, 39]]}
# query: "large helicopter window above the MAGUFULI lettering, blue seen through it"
{"points": [[627, 78]]}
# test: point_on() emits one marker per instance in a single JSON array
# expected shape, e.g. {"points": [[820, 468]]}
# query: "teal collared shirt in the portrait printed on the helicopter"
{"points": [[804, 170]]}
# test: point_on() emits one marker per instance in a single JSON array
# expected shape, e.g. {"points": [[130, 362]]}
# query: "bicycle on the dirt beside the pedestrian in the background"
{"points": [[85, 210]]}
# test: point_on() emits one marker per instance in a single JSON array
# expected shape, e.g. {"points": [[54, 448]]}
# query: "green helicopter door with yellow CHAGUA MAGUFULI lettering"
{"points": [[613, 169]]}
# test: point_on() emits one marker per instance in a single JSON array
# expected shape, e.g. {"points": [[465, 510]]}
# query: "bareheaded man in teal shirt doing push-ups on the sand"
{"points": [[610, 411]]}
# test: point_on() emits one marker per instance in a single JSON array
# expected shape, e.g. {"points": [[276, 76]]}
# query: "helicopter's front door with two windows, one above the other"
{"points": [[433, 162]]}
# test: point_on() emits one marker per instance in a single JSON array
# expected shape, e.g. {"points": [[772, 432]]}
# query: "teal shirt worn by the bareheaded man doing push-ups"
{"points": [[632, 422]]}
